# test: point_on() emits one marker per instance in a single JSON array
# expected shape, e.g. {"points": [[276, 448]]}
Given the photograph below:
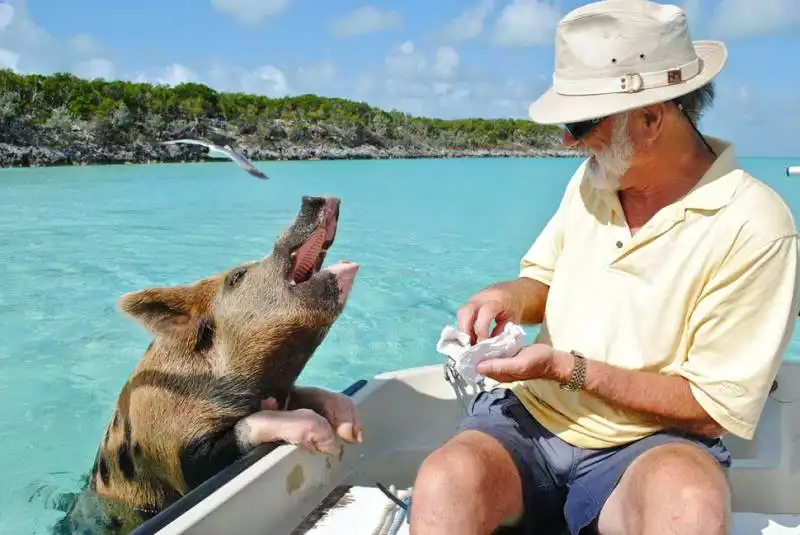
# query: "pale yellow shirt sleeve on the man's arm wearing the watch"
{"points": [[739, 330]]}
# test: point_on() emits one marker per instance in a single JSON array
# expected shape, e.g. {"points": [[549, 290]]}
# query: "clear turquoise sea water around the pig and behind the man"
{"points": [[428, 233]]}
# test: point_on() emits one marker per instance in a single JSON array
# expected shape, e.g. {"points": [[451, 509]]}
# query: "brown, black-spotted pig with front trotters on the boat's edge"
{"points": [[218, 378]]}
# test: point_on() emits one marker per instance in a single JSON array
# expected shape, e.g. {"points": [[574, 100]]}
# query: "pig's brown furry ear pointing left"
{"points": [[159, 310]]}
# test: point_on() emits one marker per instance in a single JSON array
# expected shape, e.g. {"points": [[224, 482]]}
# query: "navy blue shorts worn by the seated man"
{"points": [[562, 486]]}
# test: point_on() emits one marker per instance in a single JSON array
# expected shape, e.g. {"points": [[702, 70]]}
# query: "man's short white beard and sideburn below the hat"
{"points": [[608, 166]]}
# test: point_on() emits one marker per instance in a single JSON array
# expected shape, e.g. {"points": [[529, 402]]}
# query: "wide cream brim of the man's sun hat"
{"points": [[553, 108]]}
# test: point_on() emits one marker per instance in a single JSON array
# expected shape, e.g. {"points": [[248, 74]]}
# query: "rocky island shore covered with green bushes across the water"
{"points": [[61, 119]]}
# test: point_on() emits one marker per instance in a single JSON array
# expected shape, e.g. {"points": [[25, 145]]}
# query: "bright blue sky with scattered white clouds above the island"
{"points": [[445, 58]]}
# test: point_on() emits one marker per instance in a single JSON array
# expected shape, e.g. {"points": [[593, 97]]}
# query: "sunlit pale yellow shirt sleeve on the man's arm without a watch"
{"points": [[539, 262]]}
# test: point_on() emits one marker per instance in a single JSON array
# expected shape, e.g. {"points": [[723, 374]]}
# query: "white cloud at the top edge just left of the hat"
{"points": [[527, 23]]}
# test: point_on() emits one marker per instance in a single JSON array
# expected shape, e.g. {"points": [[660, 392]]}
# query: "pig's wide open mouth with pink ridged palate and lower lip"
{"points": [[307, 258]]}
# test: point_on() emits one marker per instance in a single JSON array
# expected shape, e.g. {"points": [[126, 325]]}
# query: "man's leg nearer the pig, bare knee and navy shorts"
{"points": [[493, 472]]}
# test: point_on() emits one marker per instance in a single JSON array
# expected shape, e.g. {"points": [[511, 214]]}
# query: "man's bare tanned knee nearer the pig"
{"points": [[472, 474]]}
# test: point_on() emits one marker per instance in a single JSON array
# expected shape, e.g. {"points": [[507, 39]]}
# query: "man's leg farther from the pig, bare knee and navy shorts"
{"points": [[663, 484]]}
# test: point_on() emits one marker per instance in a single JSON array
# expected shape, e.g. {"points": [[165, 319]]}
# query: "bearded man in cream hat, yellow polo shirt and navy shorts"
{"points": [[666, 286]]}
